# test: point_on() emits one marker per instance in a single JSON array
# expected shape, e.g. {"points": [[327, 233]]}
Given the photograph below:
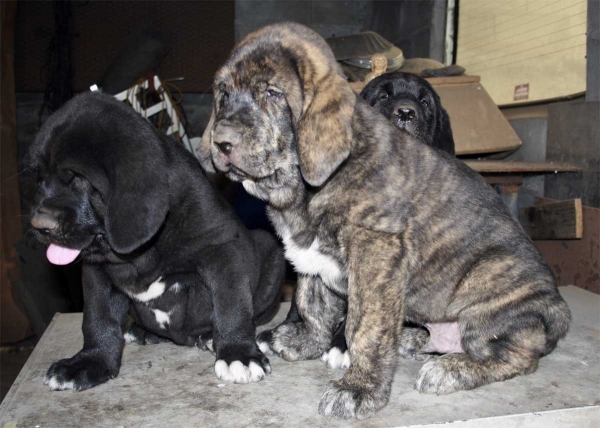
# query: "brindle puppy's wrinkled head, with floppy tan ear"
{"points": [[282, 112]]}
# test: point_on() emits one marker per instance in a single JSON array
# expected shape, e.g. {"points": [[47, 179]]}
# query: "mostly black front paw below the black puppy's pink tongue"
{"points": [[79, 373]]}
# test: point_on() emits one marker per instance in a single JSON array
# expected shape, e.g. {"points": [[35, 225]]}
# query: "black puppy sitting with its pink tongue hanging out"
{"points": [[156, 240]]}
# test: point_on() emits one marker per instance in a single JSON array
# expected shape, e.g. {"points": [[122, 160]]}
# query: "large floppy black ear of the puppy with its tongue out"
{"points": [[139, 191]]}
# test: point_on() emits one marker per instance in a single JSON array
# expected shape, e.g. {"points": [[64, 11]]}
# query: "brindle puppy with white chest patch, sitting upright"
{"points": [[377, 224]]}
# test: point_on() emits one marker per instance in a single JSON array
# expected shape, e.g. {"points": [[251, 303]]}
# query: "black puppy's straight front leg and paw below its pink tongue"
{"points": [[104, 313]]}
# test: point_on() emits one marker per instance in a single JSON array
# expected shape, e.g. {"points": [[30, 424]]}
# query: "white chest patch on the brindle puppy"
{"points": [[310, 261]]}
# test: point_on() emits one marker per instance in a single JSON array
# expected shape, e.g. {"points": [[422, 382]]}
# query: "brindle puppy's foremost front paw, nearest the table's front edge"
{"points": [[346, 402]]}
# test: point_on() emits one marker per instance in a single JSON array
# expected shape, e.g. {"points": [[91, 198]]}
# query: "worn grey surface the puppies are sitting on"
{"points": [[166, 385]]}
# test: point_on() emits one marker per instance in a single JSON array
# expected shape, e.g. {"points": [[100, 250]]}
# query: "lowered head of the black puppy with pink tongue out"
{"points": [[101, 170]]}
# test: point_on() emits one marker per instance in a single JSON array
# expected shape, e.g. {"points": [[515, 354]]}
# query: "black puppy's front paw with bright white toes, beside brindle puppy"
{"points": [[241, 363]]}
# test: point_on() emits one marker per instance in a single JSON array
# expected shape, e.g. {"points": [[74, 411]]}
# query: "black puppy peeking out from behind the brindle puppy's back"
{"points": [[412, 105]]}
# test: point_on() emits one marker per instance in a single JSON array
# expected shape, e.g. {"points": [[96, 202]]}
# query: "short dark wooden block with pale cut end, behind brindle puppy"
{"points": [[557, 220]]}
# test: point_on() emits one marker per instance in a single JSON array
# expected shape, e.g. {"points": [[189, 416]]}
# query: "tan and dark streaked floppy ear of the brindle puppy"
{"points": [[325, 127]]}
